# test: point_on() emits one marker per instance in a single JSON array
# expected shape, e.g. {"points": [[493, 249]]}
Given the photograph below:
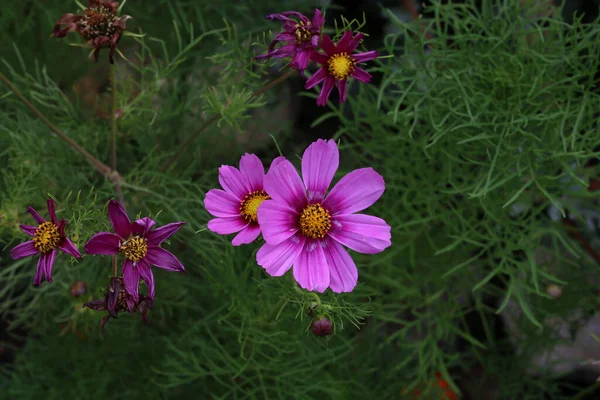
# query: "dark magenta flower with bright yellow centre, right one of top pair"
{"points": [[339, 64]]}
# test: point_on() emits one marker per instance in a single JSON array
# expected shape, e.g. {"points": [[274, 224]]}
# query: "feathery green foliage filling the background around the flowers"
{"points": [[476, 132]]}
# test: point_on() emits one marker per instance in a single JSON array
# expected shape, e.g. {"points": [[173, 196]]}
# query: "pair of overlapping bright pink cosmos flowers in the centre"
{"points": [[305, 225]]}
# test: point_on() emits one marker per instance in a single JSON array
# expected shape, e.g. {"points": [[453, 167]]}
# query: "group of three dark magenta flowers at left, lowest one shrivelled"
{"points": [[138, 242]]}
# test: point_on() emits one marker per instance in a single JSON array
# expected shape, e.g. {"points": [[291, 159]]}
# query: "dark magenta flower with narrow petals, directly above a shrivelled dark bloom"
{"points": [[139, 244]]}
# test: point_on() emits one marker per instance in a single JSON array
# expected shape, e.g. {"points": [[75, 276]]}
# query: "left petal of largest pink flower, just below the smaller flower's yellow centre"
{"points": [[277, 221]]}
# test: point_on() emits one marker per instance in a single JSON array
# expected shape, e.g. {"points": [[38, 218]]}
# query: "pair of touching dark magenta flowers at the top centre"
{"points": [[302, 43]]}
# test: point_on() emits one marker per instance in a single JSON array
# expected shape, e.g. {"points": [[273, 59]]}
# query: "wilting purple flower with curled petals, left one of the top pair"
{"points": [[300, 38]]}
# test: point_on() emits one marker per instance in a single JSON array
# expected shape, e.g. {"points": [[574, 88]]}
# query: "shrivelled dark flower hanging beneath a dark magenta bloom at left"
{"points": [[117, 300]]}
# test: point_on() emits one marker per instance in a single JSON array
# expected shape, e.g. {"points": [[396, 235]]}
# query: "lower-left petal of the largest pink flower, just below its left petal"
{"points": [[276, 260]]}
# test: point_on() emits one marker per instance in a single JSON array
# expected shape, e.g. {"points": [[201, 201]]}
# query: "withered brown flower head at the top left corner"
{"points": [[99, 26]]}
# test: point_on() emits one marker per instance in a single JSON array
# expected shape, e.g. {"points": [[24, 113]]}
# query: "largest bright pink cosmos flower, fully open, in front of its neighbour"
{"points": [[306, 228]]}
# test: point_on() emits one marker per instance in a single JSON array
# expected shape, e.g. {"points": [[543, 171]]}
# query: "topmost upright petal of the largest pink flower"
{"points": [[320, 161]]}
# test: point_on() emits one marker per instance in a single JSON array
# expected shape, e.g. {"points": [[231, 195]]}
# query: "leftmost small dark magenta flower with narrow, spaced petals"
{"points": [[48, 238]]}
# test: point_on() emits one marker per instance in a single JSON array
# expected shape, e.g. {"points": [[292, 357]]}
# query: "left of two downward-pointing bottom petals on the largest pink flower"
{"points": [[310, 269]]}
